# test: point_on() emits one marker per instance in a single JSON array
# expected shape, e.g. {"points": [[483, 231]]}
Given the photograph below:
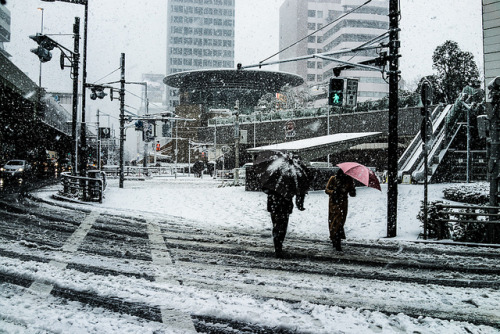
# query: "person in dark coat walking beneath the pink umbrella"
{"points": [[338, 188]]}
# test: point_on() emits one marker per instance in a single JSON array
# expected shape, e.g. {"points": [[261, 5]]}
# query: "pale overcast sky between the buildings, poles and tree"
{"points": [[138, 29]]}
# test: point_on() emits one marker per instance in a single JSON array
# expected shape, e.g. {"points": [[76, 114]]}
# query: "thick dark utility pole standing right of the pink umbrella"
{"points": [[394, 74]]}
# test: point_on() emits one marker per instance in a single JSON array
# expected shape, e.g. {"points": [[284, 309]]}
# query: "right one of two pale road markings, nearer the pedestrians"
{"points": [[165, 273]]}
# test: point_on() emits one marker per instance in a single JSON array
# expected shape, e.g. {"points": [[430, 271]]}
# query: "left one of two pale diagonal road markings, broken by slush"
{"points": [[71, 245]]}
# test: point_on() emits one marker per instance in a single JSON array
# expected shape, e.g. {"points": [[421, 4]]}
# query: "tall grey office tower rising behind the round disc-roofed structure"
{"points": [[200, 36]]}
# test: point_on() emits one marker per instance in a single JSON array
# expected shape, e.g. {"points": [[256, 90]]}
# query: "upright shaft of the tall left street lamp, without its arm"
{"points": [[83, 130]]}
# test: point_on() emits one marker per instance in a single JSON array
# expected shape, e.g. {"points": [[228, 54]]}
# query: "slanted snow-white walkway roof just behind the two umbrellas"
{"points": [[313, 148]]}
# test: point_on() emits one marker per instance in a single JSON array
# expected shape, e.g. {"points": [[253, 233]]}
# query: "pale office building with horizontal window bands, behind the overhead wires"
{"points": [[299, 18]]}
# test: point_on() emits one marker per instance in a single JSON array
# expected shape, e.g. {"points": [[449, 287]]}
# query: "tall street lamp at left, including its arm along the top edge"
{"points": [[83, 138]]}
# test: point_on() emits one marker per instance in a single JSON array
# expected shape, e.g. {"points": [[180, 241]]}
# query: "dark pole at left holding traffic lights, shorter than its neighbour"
{"points": [[74, 116]]}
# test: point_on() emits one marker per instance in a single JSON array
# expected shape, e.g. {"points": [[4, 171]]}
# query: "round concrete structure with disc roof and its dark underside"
{"points": [[220, 88]]}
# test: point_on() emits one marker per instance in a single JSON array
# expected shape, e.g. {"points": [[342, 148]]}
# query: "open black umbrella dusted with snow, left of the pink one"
{"points": [[283, 173]]}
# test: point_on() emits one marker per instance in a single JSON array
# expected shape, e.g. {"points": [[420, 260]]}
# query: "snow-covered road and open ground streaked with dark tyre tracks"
{"points": [[114, 269]]}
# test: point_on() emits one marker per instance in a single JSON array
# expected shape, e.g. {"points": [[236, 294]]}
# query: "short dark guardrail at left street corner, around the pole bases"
{"points": [[87, 189]]}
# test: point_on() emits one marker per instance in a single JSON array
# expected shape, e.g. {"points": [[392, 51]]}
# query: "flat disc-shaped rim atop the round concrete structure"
{"points": [[231, 78]]}
